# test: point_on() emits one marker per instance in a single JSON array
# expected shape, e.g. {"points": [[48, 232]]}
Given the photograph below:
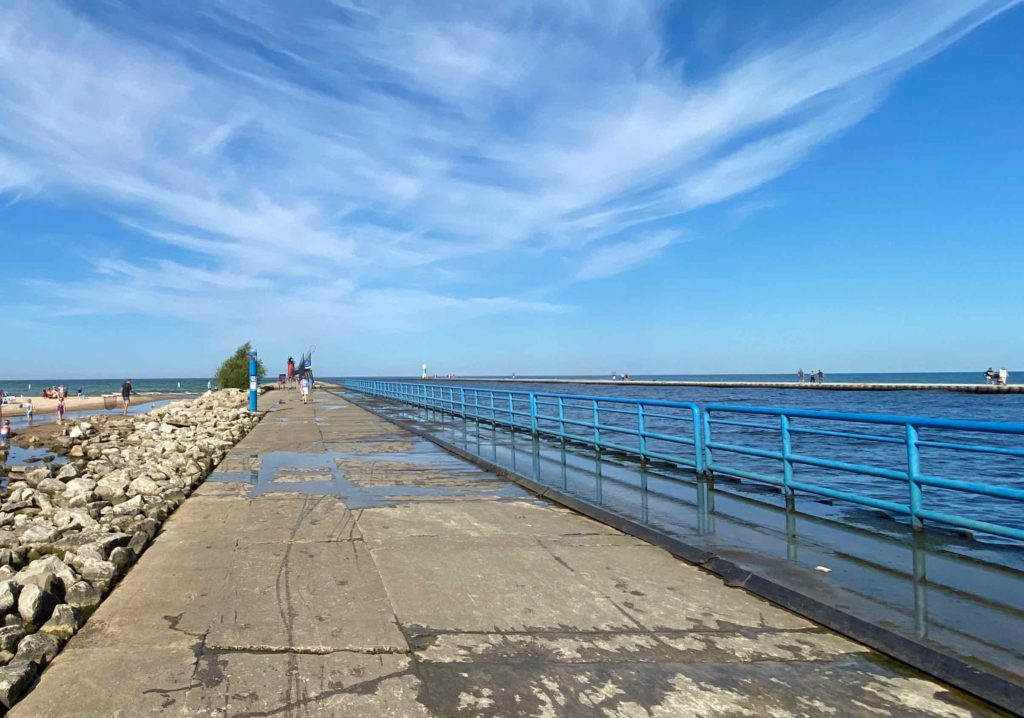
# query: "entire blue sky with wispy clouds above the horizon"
{"points": [[511, 187]]}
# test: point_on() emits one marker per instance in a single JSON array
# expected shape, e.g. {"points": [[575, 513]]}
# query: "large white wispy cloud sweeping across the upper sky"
{"points": [[348, 145]]}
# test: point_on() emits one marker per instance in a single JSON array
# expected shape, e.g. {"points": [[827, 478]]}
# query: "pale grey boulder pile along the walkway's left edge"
{"points": [[68, 532]]}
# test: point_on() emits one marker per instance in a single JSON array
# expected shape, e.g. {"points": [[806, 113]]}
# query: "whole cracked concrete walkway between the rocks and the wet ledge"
{"points": [[337, 566]]}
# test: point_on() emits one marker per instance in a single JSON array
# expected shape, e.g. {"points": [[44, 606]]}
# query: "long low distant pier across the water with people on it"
{"points": [[825, 387]]}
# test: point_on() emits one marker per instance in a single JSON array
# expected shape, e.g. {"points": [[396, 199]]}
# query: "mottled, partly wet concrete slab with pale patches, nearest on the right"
{"points": [[852, 687]]}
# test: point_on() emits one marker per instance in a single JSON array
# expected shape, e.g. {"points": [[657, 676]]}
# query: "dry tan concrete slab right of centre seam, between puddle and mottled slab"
{"points": [[447, 586]]}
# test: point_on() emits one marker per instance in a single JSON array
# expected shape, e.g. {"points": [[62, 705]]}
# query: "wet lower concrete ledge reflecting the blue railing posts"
{"points": [[964, 598]]}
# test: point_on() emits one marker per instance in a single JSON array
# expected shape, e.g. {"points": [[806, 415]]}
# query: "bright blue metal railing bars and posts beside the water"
{"points": [[586, 427]]}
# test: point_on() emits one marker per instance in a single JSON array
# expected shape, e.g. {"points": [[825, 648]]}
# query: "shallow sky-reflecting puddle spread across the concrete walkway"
{"points": [[368, 479]]}
